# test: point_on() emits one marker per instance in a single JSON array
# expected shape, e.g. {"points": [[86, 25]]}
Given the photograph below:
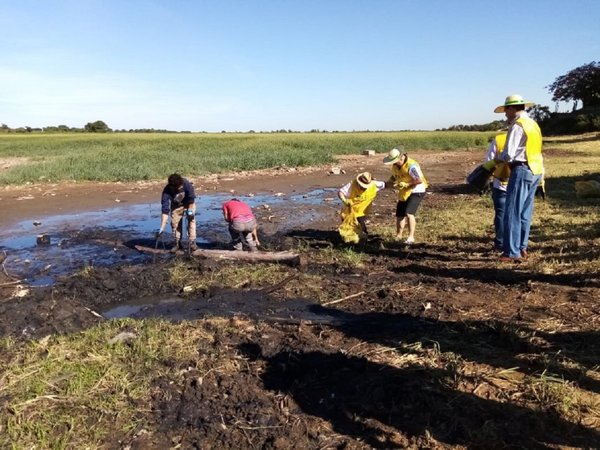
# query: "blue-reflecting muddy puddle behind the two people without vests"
{"points": [[99, 238]]}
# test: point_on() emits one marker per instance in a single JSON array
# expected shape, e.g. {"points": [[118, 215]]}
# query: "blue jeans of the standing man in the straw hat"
{"points": [[519, 210]]}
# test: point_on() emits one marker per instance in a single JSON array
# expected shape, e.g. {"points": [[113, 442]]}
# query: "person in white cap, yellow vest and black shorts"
{"points": [[408, 178]]}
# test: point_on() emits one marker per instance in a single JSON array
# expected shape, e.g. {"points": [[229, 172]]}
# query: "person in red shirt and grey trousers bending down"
{"points": [[242, 225]]}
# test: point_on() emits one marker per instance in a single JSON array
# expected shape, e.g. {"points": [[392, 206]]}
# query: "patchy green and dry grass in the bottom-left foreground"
{"points": [[56, 387]]}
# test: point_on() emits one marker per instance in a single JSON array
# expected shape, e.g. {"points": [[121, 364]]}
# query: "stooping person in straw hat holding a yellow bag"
{"points": [[357, 197]]}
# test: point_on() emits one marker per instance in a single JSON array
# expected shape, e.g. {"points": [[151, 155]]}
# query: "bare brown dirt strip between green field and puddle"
{"points": [[25, 202]]}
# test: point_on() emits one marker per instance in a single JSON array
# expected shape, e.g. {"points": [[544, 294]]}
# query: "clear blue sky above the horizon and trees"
{"points": [[244, 65]]}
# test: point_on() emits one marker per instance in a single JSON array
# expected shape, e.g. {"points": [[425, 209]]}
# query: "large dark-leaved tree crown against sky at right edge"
{"points": [[580, 84]]}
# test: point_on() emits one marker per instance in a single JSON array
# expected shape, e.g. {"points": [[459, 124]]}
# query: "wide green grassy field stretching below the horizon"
{"points": [[133, 157]]}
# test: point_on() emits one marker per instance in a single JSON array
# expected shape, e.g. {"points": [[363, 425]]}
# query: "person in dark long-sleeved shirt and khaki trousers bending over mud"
{"points": [[178, 200]]}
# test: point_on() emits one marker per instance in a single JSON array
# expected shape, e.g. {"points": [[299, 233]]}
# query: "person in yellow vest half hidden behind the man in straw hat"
{"points": [[500, 172]]}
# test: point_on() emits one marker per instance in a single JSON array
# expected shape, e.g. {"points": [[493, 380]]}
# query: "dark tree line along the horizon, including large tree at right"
{"points": [[579, 85]]}
